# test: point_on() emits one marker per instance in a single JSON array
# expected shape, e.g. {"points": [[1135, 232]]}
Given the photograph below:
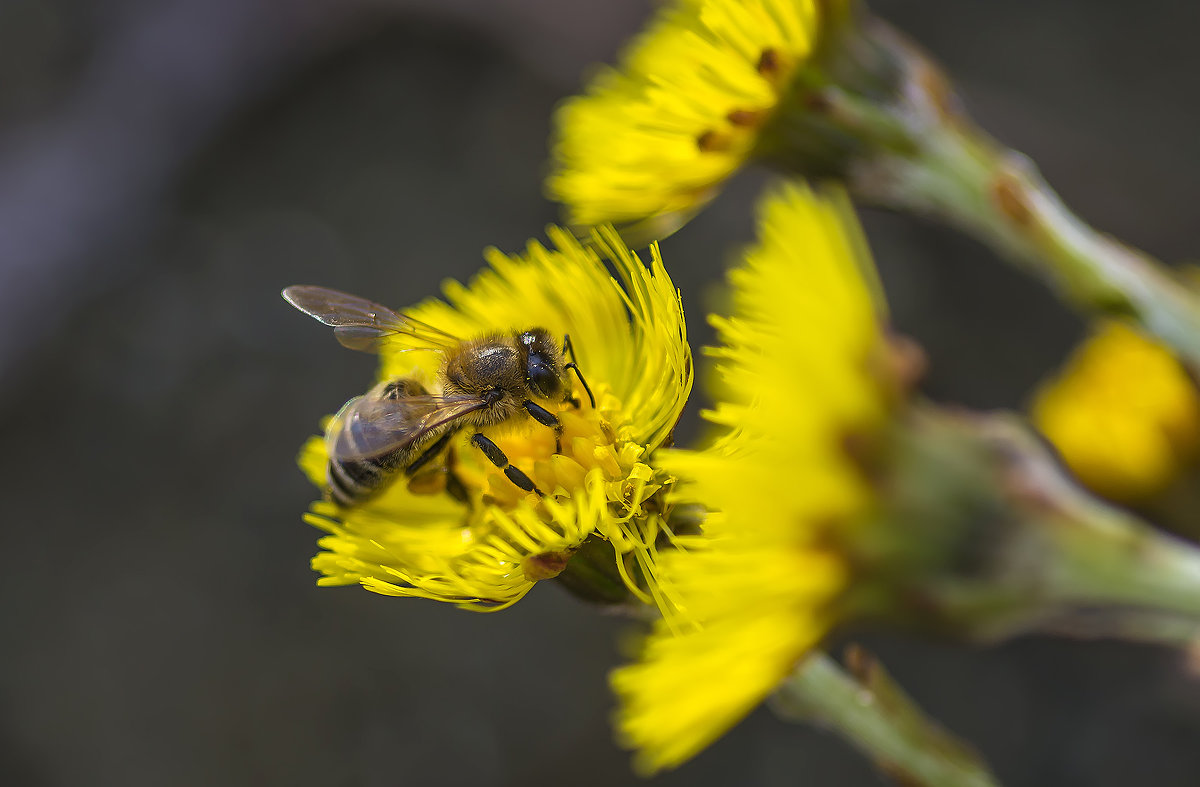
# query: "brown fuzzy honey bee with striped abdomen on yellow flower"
{"points": [[400, 428]]}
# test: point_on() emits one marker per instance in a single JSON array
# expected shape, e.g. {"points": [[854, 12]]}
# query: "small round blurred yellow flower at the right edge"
{"points": [[1124, 414]]}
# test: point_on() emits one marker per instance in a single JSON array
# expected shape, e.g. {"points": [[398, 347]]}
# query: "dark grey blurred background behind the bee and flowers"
{"points": [[169, 166]]}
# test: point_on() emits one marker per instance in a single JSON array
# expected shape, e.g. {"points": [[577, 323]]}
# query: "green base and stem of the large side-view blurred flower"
{"points": [[985, 537]]}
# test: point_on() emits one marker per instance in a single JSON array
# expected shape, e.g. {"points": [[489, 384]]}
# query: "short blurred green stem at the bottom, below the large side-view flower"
{"points": [[871, 712]]}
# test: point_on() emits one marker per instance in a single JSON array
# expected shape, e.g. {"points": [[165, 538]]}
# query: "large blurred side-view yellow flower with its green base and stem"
{"points": [[833, 496]]}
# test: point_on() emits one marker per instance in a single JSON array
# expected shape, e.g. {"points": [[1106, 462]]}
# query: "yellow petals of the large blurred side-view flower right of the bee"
{"points": [[797, 379]]}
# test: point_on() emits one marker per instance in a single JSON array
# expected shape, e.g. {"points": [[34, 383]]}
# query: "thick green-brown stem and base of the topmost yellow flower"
{"points": [[874, 111]]}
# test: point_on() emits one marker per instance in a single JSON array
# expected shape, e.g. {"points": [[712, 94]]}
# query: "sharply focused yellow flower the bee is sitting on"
{"points": [[488, 554]]}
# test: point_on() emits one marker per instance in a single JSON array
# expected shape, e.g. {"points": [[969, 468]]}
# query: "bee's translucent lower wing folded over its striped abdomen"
{"points": [[369, 428]]}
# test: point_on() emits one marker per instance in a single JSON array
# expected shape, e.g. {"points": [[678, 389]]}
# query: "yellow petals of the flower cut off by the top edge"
{"points": [[652, 142]]}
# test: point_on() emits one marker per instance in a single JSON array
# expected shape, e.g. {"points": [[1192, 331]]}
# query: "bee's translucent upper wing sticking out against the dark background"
{"points": [[361, 325]]}
